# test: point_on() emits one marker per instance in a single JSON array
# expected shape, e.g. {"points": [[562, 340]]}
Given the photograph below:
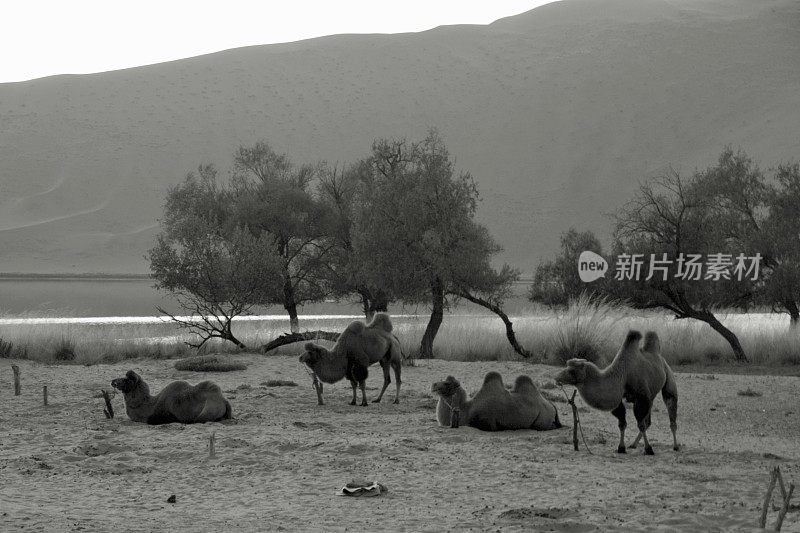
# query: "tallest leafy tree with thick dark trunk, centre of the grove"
{"points": [[416, 234]]}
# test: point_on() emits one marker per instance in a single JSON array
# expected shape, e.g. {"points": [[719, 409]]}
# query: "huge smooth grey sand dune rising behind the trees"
{"points": [[558, 113]]}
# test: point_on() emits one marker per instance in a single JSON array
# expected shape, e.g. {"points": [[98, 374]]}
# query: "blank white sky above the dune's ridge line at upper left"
{"points": [[42, 38]]}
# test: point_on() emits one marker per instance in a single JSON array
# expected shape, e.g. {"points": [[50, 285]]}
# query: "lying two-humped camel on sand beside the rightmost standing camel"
{"points": [[493, 408]]}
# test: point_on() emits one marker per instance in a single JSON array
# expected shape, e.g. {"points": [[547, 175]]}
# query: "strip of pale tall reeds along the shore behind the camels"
{"points": [[587, 328]]}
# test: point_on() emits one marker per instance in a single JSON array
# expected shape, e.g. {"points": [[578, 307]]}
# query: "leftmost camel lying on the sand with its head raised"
{"points": [[177, 402]]}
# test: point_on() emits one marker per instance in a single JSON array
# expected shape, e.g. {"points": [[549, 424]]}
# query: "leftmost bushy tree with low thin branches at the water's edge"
{"points": [[214, 270]]}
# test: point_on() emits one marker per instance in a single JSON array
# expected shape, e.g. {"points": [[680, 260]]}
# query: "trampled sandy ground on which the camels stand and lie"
{"points": [[280, 463]]}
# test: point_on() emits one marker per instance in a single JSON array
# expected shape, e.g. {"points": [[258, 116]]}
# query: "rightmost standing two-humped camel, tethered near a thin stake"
{"points": [[635, 375]]}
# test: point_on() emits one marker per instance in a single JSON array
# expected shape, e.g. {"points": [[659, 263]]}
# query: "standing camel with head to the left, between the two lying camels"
{"points": [[357, 347]]}
